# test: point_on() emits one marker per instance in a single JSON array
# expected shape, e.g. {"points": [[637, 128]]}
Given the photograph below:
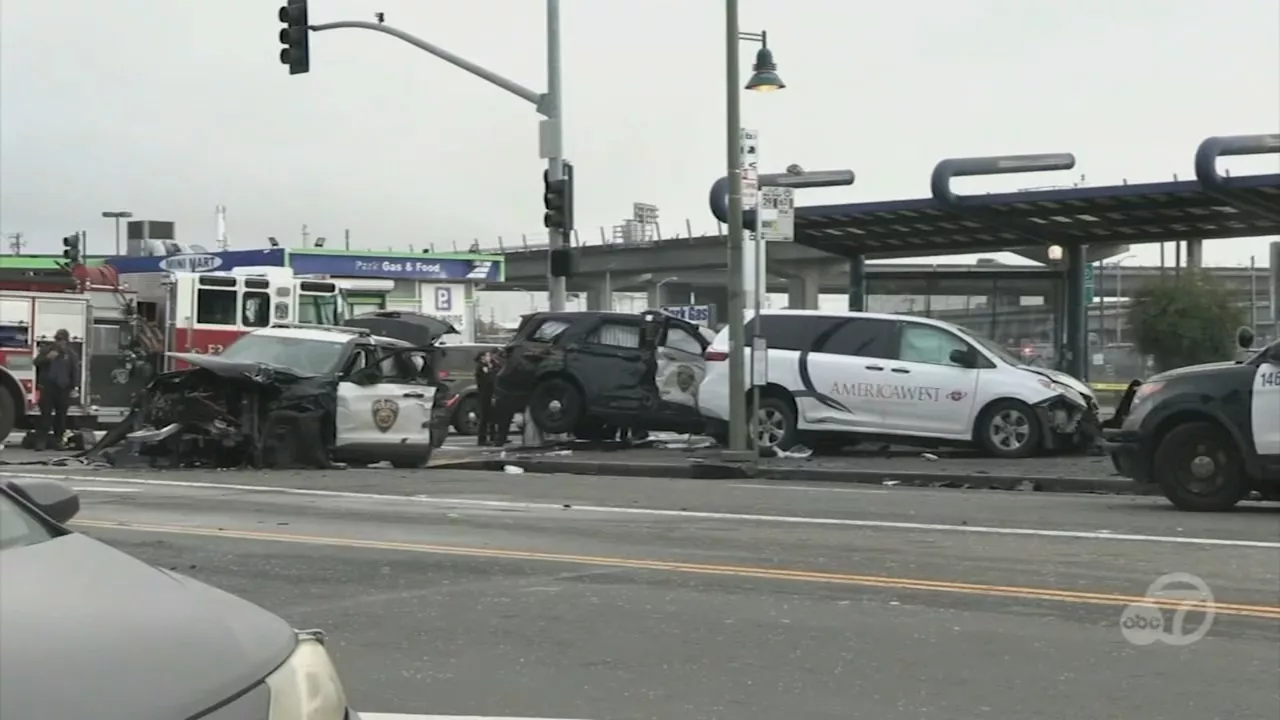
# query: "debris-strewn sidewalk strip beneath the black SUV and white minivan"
{"points": [[898, 467]]}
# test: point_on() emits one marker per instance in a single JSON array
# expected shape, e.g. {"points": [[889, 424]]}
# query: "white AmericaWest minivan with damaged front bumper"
{"points": [[838, 376]]}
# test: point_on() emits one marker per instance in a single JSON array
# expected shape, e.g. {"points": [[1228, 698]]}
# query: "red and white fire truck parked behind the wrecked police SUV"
{"points": [[122, 326]]}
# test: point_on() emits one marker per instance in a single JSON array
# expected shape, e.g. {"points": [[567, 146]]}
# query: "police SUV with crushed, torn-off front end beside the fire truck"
{"points": [[294, 397]]}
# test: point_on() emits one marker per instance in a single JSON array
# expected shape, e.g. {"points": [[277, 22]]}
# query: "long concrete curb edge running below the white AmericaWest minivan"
{"points": [[706, 471]]}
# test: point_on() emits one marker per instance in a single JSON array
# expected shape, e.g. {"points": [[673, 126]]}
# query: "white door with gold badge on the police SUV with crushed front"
{"points": [[388, 413]]}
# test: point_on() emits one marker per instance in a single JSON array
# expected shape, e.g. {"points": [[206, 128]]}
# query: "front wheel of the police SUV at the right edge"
{"points": [[1173, 461]]}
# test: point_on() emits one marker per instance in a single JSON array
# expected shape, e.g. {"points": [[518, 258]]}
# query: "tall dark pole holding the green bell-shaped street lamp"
{"points": [[738, 431]]}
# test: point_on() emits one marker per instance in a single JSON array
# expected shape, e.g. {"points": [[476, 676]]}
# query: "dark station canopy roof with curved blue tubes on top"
{"points": [[1210, 207]]}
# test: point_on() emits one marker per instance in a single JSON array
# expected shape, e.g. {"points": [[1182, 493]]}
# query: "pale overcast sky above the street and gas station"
{"points": [[168, 110]]}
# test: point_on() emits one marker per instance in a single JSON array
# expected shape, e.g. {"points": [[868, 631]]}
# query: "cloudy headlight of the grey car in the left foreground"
{"points": [[308, 687]]}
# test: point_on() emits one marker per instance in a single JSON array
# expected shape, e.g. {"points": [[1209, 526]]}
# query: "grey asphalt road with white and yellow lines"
{"points": [[619, 599]]}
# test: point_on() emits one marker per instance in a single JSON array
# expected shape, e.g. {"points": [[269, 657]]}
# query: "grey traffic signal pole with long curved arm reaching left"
{"points": [[548, 104]]}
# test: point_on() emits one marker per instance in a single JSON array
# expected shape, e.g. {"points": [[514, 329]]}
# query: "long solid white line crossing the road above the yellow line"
{"points": [[655, 512]]}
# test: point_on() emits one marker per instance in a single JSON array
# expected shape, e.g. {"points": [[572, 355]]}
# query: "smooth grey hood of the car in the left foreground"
{"points": [[92, 632]]}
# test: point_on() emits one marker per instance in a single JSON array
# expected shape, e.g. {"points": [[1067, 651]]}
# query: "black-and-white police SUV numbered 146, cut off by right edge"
{"points": [[1208, 435]]}
